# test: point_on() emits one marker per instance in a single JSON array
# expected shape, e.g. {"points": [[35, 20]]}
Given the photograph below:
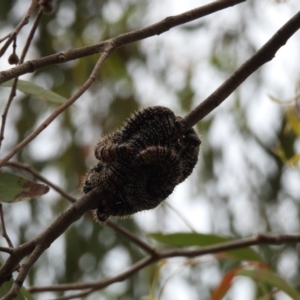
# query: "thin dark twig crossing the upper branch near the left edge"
{"points": [[14, 87]]}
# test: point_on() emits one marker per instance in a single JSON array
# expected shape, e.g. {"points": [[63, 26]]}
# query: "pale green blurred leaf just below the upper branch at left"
{"points": [[30, 88]]}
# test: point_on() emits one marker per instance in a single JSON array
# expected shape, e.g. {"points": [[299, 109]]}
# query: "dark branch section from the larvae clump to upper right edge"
{"points": [[262, 56]]}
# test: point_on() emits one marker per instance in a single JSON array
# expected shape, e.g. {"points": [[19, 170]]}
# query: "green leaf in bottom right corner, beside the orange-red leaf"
{"points": [[272, 279]]}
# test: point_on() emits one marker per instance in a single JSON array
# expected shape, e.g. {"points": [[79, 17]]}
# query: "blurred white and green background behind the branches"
{"points": [[239, 188]]}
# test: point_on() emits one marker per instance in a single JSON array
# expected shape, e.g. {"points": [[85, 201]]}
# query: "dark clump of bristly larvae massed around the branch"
{"points": [[140, 164]]}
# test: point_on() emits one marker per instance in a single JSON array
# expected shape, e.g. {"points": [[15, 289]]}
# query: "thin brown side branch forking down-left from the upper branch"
{"points": [[61, 108]]}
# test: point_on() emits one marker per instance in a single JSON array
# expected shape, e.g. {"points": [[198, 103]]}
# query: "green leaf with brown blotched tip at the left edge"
{"points": [[14, 188]]}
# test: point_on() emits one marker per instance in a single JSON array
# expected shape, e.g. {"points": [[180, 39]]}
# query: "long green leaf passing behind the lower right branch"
{"points": [[203, 240]]}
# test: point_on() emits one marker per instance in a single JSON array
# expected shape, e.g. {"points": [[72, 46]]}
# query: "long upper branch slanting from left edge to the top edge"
{"points": [[119, 41]]}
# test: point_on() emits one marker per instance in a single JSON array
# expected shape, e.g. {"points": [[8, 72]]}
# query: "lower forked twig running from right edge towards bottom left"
{"points": [[261, 239]]}
